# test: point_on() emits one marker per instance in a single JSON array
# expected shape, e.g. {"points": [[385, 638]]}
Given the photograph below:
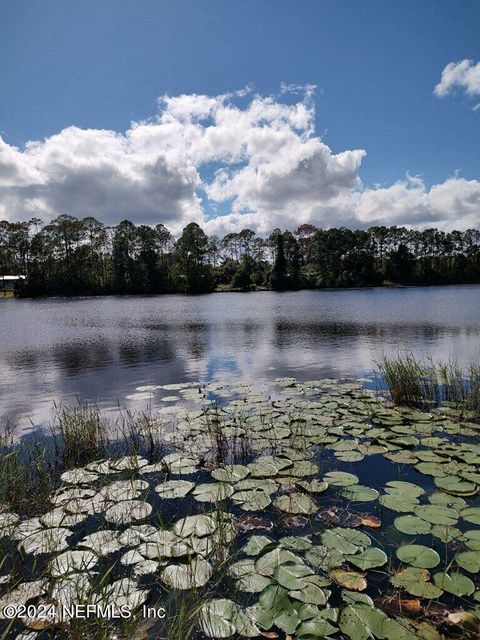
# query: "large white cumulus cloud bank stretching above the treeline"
{"points": [[227, 162]]}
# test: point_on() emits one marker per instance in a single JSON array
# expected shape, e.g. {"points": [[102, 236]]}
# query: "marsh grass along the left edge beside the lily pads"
{"points": [[30, 467]]}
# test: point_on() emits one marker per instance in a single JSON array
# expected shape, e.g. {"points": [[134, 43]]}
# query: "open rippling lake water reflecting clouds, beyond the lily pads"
{"points": [[104, 349]]}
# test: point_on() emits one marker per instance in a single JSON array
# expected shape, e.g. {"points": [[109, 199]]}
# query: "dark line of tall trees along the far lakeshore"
{"points": [[72, 257]]}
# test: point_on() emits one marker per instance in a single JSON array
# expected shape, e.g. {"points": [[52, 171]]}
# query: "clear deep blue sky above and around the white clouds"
{"points": [[101, 65]]}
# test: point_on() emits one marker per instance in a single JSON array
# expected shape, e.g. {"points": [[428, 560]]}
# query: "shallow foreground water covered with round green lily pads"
{"points": [[315, 510]]}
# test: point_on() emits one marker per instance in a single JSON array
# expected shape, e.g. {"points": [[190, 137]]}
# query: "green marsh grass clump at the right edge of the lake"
{"points": [[413, 383]]}
